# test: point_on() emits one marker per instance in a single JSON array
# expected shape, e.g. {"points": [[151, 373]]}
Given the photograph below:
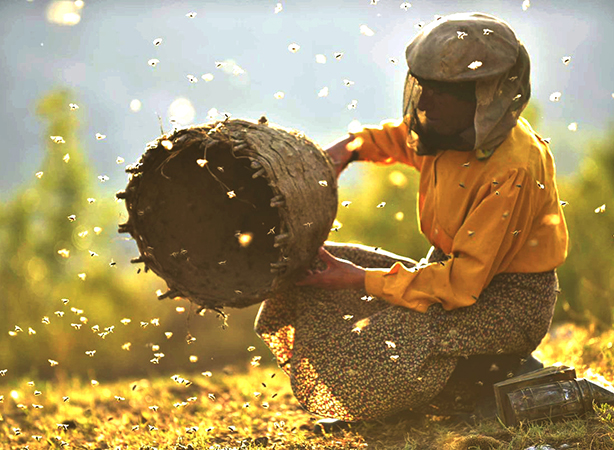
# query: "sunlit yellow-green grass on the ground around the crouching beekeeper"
{"points": [[255, 409]]}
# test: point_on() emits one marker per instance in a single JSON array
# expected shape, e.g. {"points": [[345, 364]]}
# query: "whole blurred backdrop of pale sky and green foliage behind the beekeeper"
{"points": [[85, 85]]}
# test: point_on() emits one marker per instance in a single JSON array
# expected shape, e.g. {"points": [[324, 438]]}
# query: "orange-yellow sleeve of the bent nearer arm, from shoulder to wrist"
{"points": [[493, 232]]}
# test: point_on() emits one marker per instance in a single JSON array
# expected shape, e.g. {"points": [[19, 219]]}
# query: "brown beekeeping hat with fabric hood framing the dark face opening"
{"points": [[470, 47]]}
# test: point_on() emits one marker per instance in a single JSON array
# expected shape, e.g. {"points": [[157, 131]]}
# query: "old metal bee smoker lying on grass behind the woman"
{"points": [[548, 394]]}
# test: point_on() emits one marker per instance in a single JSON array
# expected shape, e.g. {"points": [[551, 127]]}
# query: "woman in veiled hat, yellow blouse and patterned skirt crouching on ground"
{"points": [[367, 334]]}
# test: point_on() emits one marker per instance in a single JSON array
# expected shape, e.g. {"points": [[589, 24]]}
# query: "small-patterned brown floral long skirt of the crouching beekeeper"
{"points": [[354, 357]]}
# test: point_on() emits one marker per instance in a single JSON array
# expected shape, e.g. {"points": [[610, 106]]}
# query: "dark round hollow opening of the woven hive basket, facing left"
{"points": [[218, 236]]}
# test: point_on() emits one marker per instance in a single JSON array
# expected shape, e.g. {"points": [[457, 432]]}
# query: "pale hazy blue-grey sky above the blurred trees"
{"points": [[104, 58]]}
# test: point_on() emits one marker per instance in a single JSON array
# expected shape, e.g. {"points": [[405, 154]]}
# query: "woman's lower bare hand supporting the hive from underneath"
{"points": [[339, 274]]}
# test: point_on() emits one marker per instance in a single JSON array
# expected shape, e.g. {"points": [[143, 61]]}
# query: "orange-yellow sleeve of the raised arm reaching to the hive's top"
{"points": [[385, 144]]}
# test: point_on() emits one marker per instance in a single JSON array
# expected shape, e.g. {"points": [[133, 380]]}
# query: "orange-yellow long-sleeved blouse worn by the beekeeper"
{"points": [[494, 215]]}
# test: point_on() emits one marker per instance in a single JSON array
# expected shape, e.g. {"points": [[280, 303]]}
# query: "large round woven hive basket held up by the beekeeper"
{"points": [[229, 212]]}
